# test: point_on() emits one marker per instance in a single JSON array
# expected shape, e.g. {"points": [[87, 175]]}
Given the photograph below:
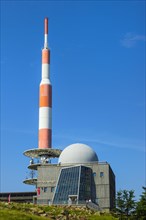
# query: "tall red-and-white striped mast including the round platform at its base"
{"points": [[44, 151]]}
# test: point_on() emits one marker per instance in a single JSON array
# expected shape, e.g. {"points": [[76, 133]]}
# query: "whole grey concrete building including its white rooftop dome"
{"points": [[78, 177]]}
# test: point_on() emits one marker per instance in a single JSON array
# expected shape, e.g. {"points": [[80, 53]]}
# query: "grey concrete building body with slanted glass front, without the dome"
{"points": [[76, 184]]}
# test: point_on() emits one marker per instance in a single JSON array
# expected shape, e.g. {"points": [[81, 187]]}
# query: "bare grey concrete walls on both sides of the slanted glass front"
{"points": [[103, 183]]}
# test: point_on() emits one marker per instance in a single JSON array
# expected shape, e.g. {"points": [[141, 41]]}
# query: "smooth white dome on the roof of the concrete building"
{"points": [[78, 153]]}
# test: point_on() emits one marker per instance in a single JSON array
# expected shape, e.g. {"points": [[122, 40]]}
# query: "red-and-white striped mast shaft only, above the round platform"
{"points": [[45, 106]]}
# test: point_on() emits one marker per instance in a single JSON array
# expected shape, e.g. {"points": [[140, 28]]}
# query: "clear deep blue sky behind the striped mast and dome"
{"points": [[98, 78]]}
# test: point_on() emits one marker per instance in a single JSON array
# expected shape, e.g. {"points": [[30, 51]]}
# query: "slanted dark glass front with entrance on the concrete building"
{"points": [[74, 185]]}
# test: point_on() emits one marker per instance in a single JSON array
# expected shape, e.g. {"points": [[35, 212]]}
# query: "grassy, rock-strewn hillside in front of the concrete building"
{"points": [[24, 211]]}
